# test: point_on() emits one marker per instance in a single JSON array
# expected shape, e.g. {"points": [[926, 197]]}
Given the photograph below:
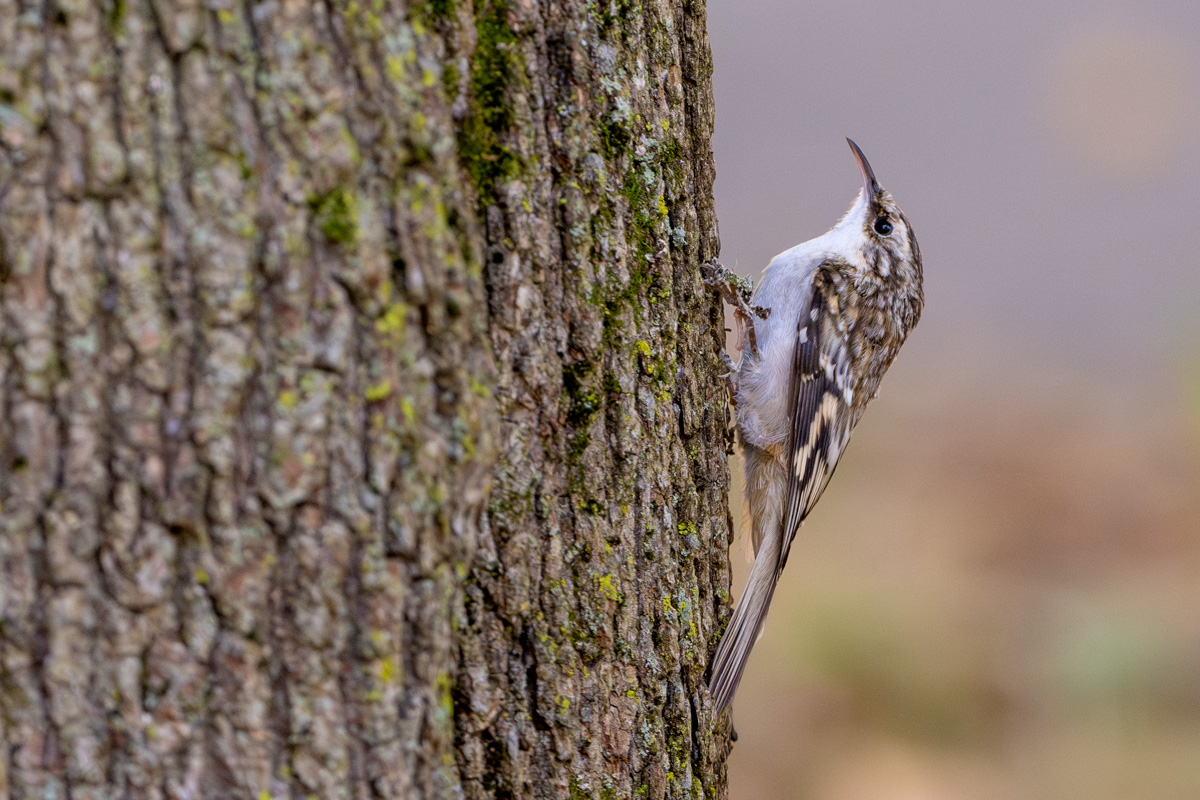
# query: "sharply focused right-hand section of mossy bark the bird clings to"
{"points": [[603, 567]]}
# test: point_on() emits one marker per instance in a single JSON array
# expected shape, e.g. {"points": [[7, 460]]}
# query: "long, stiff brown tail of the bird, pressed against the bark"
{"points": [[746, 628]]}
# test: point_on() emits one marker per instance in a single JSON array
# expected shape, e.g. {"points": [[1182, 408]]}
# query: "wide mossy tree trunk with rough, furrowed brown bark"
{"points": [[362, 432]]}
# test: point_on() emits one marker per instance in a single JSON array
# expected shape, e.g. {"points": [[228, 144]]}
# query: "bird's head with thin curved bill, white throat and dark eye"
{"points": [[878, 232]]}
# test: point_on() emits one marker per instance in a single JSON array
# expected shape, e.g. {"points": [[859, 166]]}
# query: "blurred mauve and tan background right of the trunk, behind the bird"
{"points": [[999, 597]]}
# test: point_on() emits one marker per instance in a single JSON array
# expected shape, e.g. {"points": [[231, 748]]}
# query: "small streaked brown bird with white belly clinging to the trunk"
{"points": [[820, 330]]}
